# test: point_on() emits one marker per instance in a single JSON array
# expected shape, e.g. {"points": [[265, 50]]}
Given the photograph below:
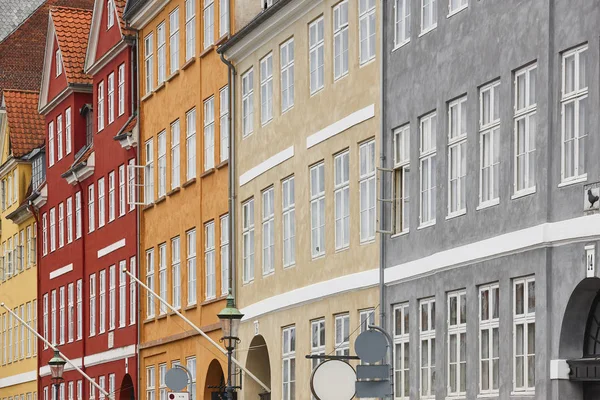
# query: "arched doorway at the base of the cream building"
{"points": [[258, 363]]}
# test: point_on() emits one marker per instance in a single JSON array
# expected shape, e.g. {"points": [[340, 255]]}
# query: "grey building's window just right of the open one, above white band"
{"points": [[427, 161]]}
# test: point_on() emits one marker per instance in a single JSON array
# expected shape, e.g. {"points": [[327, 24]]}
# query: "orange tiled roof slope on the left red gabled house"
{"points": [[72, 27]]}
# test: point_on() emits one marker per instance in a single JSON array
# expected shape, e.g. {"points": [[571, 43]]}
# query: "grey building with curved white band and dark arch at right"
{"points": [[490, 159]]}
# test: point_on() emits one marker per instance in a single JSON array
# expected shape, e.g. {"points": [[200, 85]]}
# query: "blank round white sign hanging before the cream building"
{"points": [[333, 380]]}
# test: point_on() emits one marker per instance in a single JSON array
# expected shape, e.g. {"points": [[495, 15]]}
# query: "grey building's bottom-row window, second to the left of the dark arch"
{"points": [[489, 339]]}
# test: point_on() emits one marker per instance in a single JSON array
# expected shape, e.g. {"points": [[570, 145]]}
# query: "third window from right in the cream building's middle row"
{"points": [[317, 209]]}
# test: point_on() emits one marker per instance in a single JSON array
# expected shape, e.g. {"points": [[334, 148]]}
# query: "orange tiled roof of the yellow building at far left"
{"points": [[26, 125]]}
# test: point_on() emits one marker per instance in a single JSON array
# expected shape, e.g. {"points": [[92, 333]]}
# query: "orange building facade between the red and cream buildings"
{"points": [[183, 172]]}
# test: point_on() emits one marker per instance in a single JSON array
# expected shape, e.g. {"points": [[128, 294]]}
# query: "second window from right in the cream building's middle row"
{"points": [[341, 165]]}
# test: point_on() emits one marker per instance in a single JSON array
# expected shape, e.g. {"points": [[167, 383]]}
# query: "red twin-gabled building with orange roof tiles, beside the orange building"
{"points": [[87, 229]]}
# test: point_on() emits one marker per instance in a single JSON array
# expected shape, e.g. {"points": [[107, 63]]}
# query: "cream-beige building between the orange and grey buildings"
{"points": [[306, 151]]}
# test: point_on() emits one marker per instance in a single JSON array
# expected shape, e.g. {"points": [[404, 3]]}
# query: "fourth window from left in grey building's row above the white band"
{"points": [[489, 142]]}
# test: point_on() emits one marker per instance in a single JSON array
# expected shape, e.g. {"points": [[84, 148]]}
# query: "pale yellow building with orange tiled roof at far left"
{"points": [[21, 141]]}
